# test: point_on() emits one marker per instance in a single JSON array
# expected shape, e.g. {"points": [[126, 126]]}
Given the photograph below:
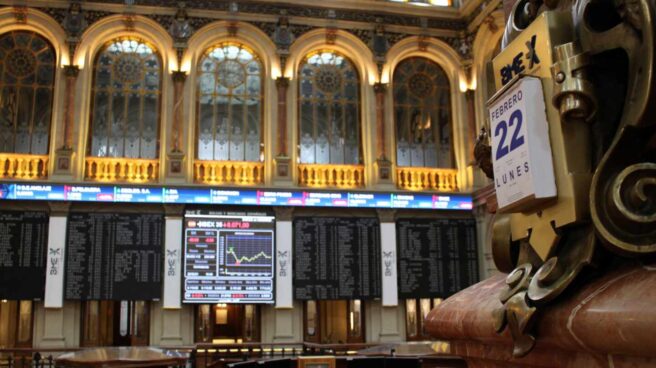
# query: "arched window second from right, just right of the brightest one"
{"points": [[329, 100]]}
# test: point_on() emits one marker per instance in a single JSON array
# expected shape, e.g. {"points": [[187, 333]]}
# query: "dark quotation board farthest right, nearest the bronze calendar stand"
{"points": [[436, 257]]}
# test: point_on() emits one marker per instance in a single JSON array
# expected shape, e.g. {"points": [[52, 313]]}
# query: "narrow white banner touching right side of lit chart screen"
{"points": [[283, 258]]}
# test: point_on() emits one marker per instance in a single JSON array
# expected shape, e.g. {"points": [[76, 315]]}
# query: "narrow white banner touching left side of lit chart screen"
{"points": [[172, 264]]}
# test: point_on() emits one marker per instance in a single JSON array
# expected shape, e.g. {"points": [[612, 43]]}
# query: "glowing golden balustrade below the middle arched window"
{"points": [[229, 172]]}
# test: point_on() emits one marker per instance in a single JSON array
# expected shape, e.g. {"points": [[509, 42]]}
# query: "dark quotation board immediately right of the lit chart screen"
{"points": [[336, 258]]}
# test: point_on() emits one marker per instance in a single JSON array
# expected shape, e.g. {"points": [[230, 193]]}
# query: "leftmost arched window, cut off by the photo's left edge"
{"points": [[27, 77]]}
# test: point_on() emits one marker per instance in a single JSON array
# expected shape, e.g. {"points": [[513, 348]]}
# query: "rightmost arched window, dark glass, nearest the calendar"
{"points": [[422, 114]]}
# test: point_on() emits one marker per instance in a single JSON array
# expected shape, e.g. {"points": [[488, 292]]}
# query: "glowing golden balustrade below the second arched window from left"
{"points": [[122, 169]]}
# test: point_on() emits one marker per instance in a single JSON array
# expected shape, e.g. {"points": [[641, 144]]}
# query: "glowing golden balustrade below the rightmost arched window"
{"points": [[423, 178]]}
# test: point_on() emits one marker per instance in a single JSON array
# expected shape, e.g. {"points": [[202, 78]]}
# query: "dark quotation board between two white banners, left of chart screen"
{"points": [[112, 256]]}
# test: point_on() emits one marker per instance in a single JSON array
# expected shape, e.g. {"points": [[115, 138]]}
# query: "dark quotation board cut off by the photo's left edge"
{"points": [[23, 243]]}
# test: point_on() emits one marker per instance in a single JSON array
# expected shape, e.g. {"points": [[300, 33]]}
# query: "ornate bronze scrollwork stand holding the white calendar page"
{"points": [[601, 91]]}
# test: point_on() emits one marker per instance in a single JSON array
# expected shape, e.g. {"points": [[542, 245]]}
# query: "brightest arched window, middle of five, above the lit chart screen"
{"points": [[230, 104]]}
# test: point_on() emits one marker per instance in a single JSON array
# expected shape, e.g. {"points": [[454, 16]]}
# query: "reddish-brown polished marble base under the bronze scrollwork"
{"points": [[607, 322]]}
